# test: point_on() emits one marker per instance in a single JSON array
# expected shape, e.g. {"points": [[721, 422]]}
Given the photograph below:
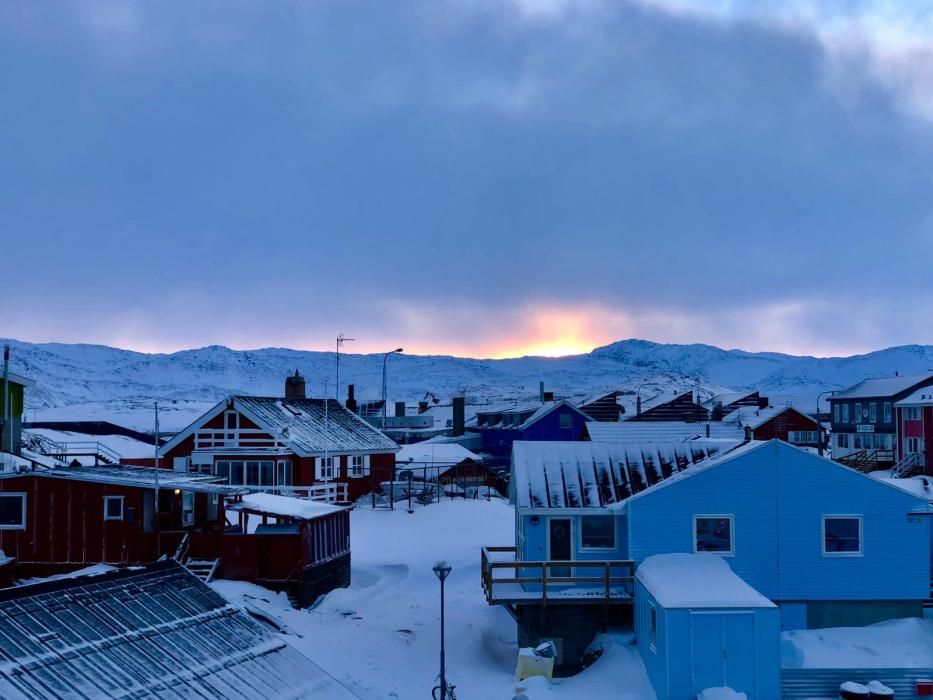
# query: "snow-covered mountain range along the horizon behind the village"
{"points": [[93, 381]]}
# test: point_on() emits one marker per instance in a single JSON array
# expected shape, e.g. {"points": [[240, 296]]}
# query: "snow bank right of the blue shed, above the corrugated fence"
{"points": [[904, 643]]}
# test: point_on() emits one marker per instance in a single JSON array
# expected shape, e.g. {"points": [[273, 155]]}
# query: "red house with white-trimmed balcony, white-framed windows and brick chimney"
{"points": [[315, 448]]}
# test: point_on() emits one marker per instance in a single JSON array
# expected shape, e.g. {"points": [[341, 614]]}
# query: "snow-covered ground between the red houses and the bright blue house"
{"points": [[381, 636]]}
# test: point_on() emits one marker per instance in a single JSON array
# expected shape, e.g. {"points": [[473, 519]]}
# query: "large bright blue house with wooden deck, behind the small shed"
{"points": [[828, 545]]}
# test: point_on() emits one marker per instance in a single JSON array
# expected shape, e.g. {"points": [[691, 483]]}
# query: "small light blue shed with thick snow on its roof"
{"points": [[700, 626]]}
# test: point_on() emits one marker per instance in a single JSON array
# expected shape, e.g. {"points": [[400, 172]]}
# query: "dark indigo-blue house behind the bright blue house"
{"points": [[548, 421]]}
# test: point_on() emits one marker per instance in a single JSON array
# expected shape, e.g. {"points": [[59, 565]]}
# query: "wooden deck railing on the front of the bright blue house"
{"points": [[541, 581]]}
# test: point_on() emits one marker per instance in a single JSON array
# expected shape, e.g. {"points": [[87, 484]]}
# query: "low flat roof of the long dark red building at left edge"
{"points": [[143, 477]]}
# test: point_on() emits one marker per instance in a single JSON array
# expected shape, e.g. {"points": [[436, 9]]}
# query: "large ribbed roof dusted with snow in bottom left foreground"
{"points": [[145, 632]]}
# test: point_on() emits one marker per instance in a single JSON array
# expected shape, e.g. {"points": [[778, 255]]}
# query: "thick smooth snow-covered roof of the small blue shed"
{"points": [[697, 581]]}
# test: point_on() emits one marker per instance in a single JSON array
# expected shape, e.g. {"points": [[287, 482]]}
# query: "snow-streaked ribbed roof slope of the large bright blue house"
{"points": [[598, 474]]}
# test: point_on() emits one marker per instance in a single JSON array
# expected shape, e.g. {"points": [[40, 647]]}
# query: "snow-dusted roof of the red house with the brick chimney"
{"points": [[309, 431]]}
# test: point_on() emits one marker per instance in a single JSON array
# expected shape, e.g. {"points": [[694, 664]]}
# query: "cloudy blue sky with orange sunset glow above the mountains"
{"points": [[474, 177]]}
